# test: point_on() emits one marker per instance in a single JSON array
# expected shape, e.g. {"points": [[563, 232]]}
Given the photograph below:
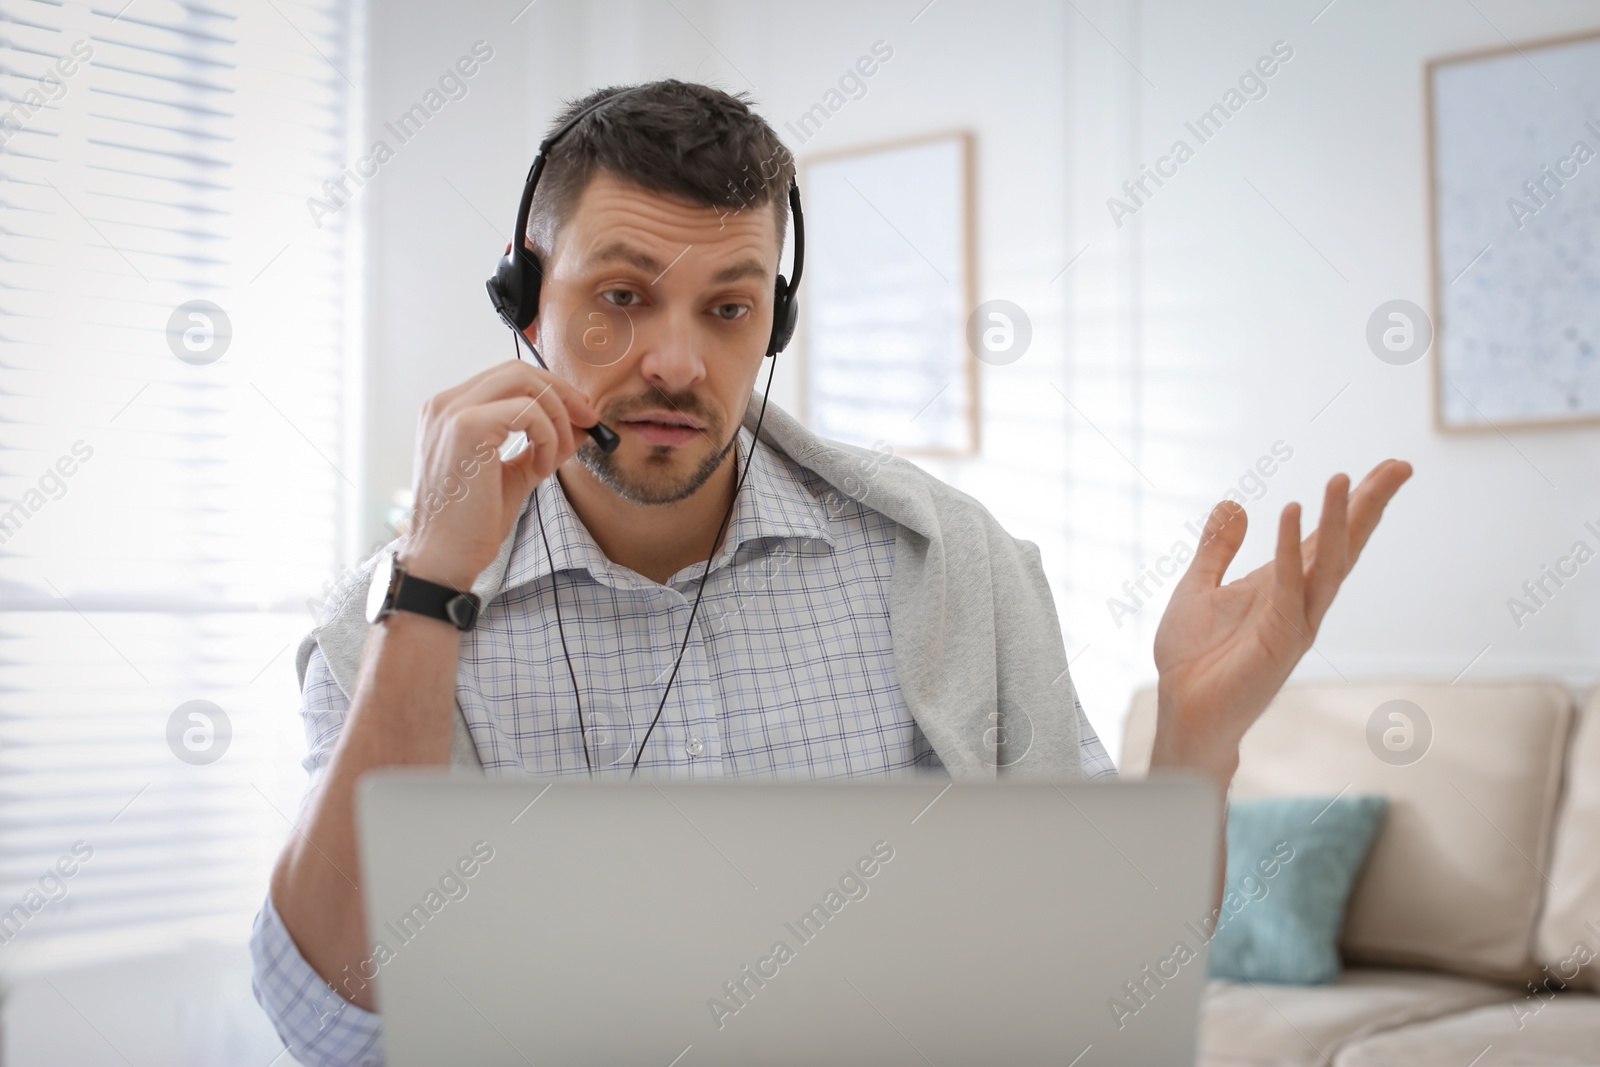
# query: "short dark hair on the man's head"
{"points": [[678, 138]]}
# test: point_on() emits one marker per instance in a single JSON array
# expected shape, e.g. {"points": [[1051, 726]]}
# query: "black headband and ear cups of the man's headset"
{"points": [[514, 289]]}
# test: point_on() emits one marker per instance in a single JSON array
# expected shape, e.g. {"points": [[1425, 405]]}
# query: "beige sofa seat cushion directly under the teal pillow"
{"points": [[1246, 1025]]}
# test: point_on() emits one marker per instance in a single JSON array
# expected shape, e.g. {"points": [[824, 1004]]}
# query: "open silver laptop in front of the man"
{"points": [[886, 924]]}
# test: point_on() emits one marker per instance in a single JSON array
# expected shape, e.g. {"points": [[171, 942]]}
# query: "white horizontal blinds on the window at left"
{"points": [[177, 342]]}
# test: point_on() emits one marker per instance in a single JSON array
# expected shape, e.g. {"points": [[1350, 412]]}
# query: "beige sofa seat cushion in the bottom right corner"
{"points": [[1566, 1033]]}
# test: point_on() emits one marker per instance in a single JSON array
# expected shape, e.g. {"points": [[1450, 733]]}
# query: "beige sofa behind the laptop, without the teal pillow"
{"points": [[1471, 937]]}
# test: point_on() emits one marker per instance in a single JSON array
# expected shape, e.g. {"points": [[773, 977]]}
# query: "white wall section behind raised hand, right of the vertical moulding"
{"points": [[1250, 330]]}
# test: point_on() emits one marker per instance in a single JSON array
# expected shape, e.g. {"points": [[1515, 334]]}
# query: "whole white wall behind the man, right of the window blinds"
{"points": [[1188, 342]]}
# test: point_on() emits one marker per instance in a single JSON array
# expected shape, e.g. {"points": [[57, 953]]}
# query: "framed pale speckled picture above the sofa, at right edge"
{"points": [[1514, 169]]}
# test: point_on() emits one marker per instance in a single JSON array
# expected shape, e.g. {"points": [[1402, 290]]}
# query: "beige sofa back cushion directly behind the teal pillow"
{"points": [[1454, 881]]}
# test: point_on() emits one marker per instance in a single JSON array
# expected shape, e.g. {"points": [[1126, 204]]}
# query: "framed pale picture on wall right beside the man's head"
{"points": [[889, 287]]}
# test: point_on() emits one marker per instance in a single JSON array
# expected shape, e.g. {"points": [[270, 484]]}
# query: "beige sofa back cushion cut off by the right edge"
{"points": [[1569, 940]]}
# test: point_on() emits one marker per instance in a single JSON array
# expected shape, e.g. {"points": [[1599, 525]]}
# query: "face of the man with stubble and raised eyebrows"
{"points": [[660, 311]]}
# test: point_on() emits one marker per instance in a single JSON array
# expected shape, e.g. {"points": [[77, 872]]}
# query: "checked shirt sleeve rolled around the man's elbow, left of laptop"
{"points": [[319, 1028]]}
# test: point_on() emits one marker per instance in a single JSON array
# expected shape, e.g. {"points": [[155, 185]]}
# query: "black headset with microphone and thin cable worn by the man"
{"points": [[514, 292]]}
